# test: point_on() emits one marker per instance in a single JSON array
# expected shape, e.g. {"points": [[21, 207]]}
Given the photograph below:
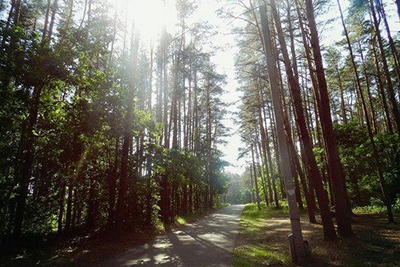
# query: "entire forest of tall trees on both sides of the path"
{"points": [[103, 127]]}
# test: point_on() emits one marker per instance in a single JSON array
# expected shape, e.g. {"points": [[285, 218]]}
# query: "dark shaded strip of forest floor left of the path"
{"points": [[83, 249]]}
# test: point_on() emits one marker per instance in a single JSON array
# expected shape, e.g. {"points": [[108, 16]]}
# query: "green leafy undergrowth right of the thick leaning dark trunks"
{"points": [[359, 163]]}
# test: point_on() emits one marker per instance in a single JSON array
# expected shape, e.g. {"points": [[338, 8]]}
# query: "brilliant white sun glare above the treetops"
{"points": [[149, 17]]}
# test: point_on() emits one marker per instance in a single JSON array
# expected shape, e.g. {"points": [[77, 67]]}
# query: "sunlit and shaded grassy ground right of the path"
{"points": [[263, 241]]}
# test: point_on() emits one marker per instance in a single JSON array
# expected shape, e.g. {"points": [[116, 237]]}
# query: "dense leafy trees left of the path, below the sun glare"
{"points": [[98, 128]]}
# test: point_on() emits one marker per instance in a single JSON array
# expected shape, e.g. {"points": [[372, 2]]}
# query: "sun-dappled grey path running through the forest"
{"points": [[208, 242]]}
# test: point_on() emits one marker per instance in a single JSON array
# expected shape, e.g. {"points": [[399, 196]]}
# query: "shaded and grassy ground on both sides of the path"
{"points": [[262, 241]]}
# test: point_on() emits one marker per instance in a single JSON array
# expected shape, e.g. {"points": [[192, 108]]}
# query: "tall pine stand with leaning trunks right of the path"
{"points": [[338, 107]]}
